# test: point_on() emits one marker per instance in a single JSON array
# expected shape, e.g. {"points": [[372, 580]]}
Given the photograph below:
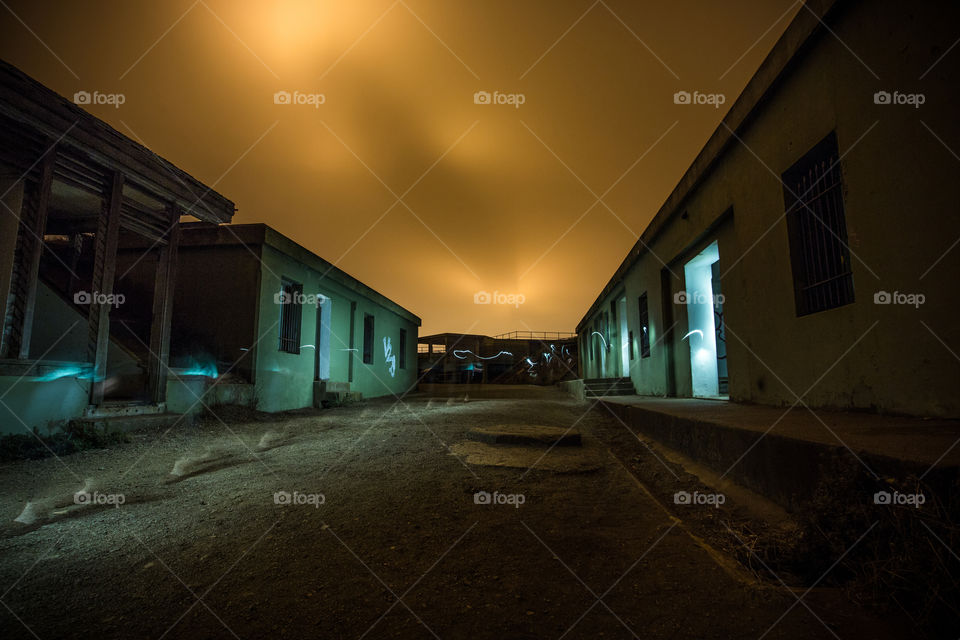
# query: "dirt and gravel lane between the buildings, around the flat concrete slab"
{"points": [[381, 538]]}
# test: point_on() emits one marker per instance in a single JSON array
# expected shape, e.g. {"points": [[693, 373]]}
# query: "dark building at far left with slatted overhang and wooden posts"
{"points": [[88, 243]]}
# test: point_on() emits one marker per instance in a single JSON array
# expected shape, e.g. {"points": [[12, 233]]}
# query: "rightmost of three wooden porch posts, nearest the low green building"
{"points": [[163, 292]]}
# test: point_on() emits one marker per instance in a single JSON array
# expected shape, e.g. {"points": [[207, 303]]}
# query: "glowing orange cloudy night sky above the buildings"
{"points": [[399, 177]]}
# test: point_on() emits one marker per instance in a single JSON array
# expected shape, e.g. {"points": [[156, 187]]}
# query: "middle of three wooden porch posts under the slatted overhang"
{"points": [[104, 271]]}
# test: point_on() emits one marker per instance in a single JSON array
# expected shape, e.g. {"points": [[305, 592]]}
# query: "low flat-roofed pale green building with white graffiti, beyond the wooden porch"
{"points": [[283, 328]]}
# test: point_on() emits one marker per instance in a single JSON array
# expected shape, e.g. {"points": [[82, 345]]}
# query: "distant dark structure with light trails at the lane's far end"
{"points": [[518, 357]]}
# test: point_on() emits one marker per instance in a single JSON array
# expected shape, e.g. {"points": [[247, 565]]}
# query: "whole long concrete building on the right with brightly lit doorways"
{"points": [[810, 248]]}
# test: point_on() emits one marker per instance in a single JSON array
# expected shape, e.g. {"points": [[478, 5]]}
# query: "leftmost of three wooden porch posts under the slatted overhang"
{"points": [[33, 223]]}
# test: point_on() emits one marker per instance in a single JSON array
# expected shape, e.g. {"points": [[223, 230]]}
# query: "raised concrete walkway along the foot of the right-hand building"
{"points": [[782, 453]]}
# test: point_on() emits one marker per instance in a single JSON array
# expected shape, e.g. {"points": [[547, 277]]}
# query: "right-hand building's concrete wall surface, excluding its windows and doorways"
{"points": [[900, 194]]}
